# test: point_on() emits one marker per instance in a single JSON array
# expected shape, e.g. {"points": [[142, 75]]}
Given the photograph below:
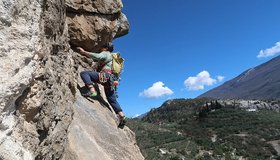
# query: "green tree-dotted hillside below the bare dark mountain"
{"points": [[183, 129]]}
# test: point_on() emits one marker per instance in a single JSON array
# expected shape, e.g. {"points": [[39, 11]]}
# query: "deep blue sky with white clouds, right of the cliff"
{"points": [[182, 48]]}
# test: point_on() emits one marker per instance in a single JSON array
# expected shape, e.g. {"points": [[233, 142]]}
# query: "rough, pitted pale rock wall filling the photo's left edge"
{"points": [[37, 75]]}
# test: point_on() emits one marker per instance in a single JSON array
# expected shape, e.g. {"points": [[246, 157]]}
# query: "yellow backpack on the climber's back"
{"points": [[117, 64]]}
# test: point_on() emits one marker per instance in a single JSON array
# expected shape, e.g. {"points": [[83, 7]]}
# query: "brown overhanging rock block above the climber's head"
{"points": [[93, 23]]}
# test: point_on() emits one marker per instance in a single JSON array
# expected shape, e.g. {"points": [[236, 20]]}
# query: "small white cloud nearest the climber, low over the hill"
{"points": [[157, 90]]}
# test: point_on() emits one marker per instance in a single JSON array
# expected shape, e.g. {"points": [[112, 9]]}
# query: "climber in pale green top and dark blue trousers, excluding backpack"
{"points": [[103, 75]]}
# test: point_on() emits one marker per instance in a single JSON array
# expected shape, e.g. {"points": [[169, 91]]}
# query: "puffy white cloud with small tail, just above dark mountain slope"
{"points": [[201, 80]]}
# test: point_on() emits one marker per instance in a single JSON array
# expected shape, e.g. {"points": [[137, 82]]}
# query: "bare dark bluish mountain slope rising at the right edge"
{"points": [[261, 82]]}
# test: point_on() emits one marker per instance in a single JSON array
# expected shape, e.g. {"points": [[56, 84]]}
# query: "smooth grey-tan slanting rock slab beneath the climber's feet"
{"points": [[93, 134]]}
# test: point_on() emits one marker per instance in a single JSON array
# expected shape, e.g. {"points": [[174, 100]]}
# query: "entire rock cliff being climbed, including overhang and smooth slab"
{"points": [[42, 115]]}
